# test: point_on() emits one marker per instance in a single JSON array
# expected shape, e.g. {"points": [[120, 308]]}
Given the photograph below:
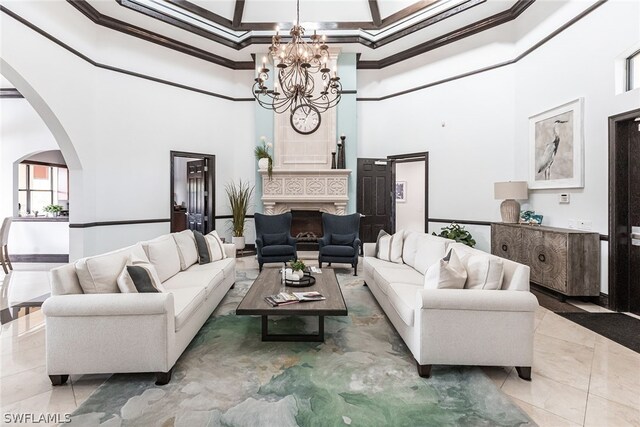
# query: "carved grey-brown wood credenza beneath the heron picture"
{"points": [[564, 260]]}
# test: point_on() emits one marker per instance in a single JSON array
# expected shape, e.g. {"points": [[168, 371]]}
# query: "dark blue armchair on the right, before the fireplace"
{"points": [[341, 240]]}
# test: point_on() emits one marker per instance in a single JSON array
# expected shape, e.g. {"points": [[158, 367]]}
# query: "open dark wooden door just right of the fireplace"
{"points": [[374, 192]]}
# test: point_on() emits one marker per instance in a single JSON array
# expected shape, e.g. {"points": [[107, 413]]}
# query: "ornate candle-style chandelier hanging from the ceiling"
{"points": [[299, 65]]}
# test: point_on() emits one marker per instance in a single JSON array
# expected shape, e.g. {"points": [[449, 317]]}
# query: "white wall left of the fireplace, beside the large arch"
{"points": [[122, 128]]}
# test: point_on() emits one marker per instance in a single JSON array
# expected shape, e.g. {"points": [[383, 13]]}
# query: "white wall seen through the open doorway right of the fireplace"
{"points": [[410, 214]]}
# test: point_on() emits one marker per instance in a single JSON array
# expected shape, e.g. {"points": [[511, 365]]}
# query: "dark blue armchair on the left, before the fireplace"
{"points": [[273, 239]]}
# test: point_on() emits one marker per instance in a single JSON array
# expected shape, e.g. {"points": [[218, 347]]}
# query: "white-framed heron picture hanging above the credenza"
{"points": [[556, 147]]}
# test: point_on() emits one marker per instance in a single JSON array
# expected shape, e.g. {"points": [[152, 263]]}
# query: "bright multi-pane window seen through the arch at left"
{"points": [[40, 185]]}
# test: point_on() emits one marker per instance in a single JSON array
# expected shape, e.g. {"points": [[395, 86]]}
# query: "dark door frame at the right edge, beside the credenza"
{"points": [[619, 241]]}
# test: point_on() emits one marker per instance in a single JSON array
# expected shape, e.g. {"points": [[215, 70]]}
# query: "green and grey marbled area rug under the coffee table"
{"points": [[362, 375]]}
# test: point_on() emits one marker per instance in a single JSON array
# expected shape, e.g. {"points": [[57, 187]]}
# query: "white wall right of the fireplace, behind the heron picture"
{"points": [[476, 128]]}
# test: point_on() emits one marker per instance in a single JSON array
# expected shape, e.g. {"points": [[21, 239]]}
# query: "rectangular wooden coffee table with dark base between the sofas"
{"points": [[269, 283]]}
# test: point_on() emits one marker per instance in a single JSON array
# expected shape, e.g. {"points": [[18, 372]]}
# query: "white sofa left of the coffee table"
{"points": [[131, 332]]}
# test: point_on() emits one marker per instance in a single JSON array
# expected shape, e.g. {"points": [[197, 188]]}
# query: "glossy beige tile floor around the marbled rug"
{"points": [[579, 377]]}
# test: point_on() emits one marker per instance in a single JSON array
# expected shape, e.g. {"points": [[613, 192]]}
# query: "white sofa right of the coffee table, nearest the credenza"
{"points": [[454, 326]]}
